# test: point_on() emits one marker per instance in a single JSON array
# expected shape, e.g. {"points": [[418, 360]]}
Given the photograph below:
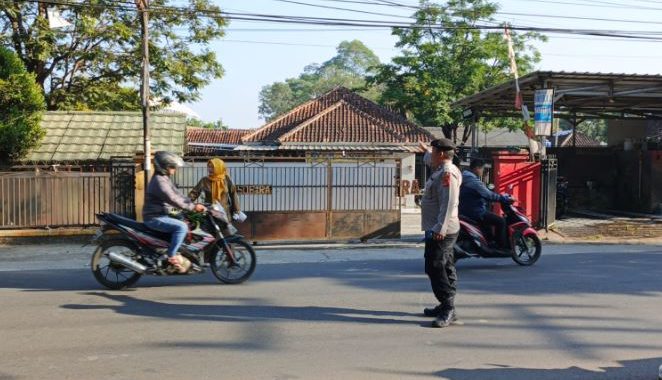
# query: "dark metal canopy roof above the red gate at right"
{"points": [[583, 95]]}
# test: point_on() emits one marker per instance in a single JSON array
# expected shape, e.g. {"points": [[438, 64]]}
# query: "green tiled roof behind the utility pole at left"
{"points": [[94, 136]]}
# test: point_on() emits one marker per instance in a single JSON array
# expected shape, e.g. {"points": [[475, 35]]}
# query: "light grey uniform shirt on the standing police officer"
{"points": [[439, 206]]}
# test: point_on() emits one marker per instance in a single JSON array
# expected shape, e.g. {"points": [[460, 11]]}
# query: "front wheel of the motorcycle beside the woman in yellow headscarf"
{"points": [[229, 272]]}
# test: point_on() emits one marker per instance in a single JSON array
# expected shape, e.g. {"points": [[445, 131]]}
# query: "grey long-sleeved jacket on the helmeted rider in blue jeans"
{"points": [[163, 196]]}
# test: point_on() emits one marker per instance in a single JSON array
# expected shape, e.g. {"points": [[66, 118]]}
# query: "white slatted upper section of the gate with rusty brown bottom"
{"points": [[300, 186]]}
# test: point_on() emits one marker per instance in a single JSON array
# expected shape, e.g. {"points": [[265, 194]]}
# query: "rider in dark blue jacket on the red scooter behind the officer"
{"points": [[474, 199]]}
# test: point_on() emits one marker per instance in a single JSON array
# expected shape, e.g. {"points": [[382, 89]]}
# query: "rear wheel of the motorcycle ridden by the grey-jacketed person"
{"points": [[112, 275]]}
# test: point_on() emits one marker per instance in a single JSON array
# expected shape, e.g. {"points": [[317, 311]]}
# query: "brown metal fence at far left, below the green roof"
{"points": [[52, 199]]}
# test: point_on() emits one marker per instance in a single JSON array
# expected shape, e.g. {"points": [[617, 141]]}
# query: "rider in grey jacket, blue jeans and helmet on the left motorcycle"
{"points": [[162, 196]]}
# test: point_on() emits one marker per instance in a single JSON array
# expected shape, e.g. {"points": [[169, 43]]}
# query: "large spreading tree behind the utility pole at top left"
{"points": [[96, 62]]}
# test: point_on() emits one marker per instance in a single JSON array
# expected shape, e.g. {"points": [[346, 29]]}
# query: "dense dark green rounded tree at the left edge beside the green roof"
{"points": [[21, 107]]}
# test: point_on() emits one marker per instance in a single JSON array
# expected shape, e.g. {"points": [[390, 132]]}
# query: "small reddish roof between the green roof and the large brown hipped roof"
{"points": [[204, 141]]}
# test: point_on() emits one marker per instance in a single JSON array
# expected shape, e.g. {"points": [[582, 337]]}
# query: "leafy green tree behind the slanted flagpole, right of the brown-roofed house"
{"points": [[446, 58]]}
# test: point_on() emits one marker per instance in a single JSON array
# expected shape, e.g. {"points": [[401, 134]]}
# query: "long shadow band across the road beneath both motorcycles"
{"points": [[568, 274]]}
